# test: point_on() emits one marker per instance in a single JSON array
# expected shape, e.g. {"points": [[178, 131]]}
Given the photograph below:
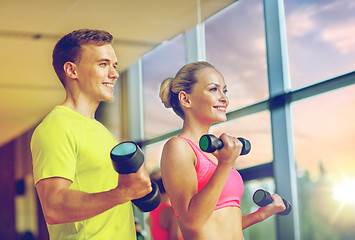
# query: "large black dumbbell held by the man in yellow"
{"points": [[127, 158]]}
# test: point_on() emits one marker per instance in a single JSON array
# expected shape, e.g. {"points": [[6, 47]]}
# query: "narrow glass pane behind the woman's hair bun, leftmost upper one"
{"points": [[158, 65]]}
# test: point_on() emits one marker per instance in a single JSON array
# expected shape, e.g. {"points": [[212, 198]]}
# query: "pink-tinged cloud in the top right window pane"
{"points": [[331, 23]]}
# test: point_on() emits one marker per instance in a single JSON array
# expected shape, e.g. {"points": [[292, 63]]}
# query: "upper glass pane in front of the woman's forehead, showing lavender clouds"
{"points": [[235, 44]]}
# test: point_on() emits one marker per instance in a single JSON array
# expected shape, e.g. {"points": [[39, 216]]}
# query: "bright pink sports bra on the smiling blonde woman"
{"points": [[233, 189]]}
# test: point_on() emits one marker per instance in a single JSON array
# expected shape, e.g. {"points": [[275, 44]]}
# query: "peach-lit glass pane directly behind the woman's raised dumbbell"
{"points": [[257, 129]]}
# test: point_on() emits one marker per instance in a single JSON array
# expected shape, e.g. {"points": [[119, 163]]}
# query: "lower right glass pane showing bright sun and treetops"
{"points": [[324, 130]]}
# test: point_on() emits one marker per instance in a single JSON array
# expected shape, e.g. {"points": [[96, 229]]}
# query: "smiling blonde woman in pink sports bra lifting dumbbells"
{"points": [[204, 188]]}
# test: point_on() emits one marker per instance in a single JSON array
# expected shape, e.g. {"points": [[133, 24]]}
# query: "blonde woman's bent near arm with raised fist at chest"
{"points": [[180, 181]]}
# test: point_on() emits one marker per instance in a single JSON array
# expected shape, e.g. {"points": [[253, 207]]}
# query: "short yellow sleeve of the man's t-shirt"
{"points": [[53, 148]]}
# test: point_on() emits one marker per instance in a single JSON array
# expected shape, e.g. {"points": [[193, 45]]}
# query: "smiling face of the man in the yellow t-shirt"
{"points": [[96, 72]]}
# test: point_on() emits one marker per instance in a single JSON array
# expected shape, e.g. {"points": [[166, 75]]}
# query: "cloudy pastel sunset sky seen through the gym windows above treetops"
{"points": [[321, 45]]}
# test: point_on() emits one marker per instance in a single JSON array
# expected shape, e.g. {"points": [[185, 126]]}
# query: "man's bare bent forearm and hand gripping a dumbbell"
{"points": [[61, 204]]}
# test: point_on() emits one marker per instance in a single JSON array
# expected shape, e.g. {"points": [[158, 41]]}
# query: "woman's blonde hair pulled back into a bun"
{"points": [[184, 80]]}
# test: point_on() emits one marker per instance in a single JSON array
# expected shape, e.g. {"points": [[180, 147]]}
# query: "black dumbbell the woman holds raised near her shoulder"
{"points": [[210, 143]]}
